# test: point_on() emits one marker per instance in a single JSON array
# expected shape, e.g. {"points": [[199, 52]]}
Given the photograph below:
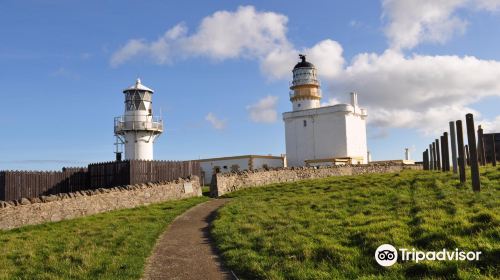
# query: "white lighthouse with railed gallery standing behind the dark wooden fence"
{"points": [[137, 129]]}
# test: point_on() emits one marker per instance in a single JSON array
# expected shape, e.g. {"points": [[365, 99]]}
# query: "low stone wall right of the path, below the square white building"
{"points": [[230, 182]]}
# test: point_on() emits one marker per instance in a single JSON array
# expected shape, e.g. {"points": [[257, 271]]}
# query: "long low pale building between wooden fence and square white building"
{"points": [[210, 166]]}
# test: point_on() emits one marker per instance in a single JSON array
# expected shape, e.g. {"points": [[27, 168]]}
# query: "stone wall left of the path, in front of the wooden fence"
{"points": [[65, 206]]}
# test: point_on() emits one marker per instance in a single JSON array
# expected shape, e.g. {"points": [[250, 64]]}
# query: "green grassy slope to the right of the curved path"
{"points": [[330, 228]]}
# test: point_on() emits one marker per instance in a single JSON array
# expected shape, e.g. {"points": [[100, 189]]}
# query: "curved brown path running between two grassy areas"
{"points": [[185, 250]]}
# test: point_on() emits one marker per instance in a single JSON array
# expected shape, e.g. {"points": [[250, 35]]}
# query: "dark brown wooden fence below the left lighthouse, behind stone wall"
{"points": [[18, 184]]}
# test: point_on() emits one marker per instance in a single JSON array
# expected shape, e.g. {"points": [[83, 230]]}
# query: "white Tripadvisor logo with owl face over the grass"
{"points": [[387, 255]]}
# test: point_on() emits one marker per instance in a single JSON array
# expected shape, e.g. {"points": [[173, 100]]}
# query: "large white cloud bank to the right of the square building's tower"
{"points": [[423, 92]]}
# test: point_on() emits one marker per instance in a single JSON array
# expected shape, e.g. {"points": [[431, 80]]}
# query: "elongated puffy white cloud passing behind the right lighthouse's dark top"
{"points": [[244, 33]]}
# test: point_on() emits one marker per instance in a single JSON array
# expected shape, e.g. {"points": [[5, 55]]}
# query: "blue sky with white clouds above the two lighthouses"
{"points": [[415, 64]]}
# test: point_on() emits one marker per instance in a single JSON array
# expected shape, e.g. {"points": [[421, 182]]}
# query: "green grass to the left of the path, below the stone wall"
{"points": [[113, 245]]}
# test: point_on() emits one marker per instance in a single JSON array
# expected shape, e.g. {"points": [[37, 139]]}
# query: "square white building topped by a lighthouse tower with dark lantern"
{"points": [[318, 135]]}
